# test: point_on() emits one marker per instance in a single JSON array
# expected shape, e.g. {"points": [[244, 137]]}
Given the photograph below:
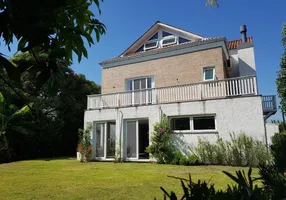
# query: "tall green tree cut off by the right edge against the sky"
{"points": [[281, 79]]}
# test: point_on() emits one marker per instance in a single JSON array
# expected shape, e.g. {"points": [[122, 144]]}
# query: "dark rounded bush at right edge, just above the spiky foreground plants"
{"points": [[278, 150]]}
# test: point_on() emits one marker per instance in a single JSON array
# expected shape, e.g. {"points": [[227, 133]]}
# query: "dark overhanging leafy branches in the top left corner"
{"points": [[56, 28]]}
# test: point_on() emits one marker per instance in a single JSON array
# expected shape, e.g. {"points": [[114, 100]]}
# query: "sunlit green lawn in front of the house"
{"points": [[70, 179]]}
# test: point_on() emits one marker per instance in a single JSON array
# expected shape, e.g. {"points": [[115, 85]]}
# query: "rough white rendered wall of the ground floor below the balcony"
{"points": [[233, 115]]}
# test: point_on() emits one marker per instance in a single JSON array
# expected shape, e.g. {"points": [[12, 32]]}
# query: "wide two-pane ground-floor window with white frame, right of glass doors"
{"points": [[193, 123]]}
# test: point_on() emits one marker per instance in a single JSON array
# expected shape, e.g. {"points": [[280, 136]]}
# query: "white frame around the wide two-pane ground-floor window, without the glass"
{"points": [[192, 124]]}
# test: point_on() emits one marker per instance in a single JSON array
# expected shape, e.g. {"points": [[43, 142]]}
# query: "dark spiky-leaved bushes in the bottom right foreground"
{"points": [[272, 187]]}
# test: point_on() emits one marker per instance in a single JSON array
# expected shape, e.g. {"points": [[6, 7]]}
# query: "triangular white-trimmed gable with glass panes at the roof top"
{"points": [[158, 36]]}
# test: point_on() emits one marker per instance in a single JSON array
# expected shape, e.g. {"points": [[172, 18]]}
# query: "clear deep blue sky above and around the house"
{"points": [[127, 20]]}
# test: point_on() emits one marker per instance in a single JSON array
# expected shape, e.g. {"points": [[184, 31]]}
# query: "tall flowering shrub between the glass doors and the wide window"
{"points": [[162, 147]]}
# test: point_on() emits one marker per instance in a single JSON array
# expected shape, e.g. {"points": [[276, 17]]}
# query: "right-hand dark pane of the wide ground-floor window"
{"points": [[204, 123]]}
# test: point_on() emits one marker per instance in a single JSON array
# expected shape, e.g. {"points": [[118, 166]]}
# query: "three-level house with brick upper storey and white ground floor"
{"points": [[206, 86]]}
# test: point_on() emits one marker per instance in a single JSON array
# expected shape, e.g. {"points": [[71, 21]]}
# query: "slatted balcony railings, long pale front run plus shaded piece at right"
{"points": [[240, 86]]}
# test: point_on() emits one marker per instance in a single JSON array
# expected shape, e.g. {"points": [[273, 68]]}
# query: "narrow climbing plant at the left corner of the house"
{"points": [[84, 143]]}
